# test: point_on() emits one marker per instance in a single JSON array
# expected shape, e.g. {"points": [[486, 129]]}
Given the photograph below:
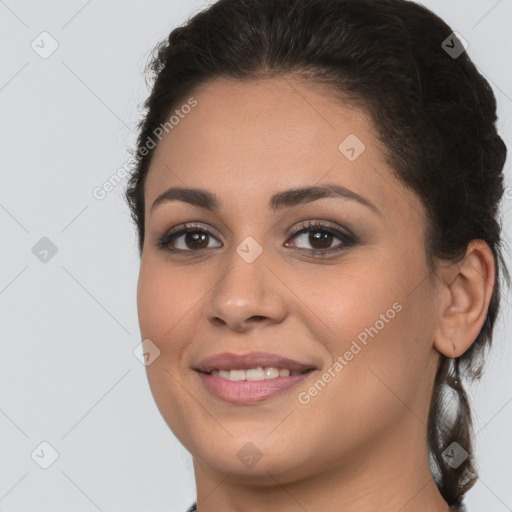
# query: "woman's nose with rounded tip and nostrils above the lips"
{"points": [[247, 295]]}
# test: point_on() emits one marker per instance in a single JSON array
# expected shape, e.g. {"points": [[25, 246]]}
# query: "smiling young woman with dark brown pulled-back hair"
{"points": [[316, 197]]}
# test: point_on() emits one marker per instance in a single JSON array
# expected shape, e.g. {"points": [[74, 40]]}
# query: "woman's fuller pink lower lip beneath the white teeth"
{"points": [[249, 391]]}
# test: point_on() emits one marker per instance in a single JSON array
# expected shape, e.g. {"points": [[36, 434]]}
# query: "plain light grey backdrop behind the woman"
{"points": [[68, 375]]}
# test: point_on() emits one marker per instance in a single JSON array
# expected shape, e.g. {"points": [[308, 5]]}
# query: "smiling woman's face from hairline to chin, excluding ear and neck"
{"points": [[351, 299]]}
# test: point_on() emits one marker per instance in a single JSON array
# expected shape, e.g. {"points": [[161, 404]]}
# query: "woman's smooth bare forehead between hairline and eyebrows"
{"points": [[250, 139]]}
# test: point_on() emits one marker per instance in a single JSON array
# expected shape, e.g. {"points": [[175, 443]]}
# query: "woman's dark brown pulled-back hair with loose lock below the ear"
{"points": [[434, 112]]}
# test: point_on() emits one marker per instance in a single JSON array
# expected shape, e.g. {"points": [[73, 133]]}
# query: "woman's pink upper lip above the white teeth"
{"points": [[230, 361]]}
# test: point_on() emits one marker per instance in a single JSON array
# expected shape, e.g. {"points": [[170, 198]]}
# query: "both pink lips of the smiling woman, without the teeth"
{"points": [[248, 392]]}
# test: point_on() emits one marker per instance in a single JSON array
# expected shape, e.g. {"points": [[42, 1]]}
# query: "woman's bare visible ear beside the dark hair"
{"points": [[466, 290]]}
